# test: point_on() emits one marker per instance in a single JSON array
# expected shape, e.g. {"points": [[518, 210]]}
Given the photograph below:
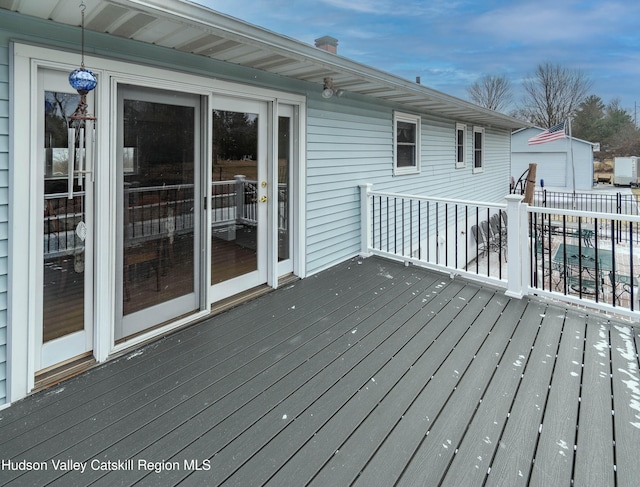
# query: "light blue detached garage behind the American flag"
{"points": [[554, 161]]}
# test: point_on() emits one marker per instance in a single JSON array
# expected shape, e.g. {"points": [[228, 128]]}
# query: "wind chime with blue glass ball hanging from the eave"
{"points": [[80, 139]]}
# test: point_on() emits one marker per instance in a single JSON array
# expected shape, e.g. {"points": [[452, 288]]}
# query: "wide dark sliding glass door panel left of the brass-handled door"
{"points": [[159, 230]]}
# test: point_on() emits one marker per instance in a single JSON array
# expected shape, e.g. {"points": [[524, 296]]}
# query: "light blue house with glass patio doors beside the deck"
{"points": [[218, 166]]}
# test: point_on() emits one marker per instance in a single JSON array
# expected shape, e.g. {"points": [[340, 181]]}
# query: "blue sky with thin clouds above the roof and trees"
{"points": [[452, 43]]}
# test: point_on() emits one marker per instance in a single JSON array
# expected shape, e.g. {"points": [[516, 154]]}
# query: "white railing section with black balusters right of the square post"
{"points": [[587, 256]]}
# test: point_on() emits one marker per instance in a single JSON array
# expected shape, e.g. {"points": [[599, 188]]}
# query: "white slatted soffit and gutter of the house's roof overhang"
{"points": [[188, 27]]}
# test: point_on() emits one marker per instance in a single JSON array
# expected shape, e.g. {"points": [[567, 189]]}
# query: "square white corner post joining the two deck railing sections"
{"points": [[517, 246]]}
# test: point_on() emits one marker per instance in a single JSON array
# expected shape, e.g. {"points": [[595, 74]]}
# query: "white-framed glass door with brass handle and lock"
{"points": [[239, 191]]}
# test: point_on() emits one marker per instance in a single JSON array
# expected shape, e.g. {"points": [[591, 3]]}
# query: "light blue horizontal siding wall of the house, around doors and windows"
{"points": [[349, 141]]}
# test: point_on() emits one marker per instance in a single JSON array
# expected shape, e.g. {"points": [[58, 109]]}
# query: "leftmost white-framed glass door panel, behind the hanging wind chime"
{"points": [[67, 228]]}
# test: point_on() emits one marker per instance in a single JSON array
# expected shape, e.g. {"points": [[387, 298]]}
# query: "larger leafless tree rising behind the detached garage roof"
{"points": [[553, 93]]}
